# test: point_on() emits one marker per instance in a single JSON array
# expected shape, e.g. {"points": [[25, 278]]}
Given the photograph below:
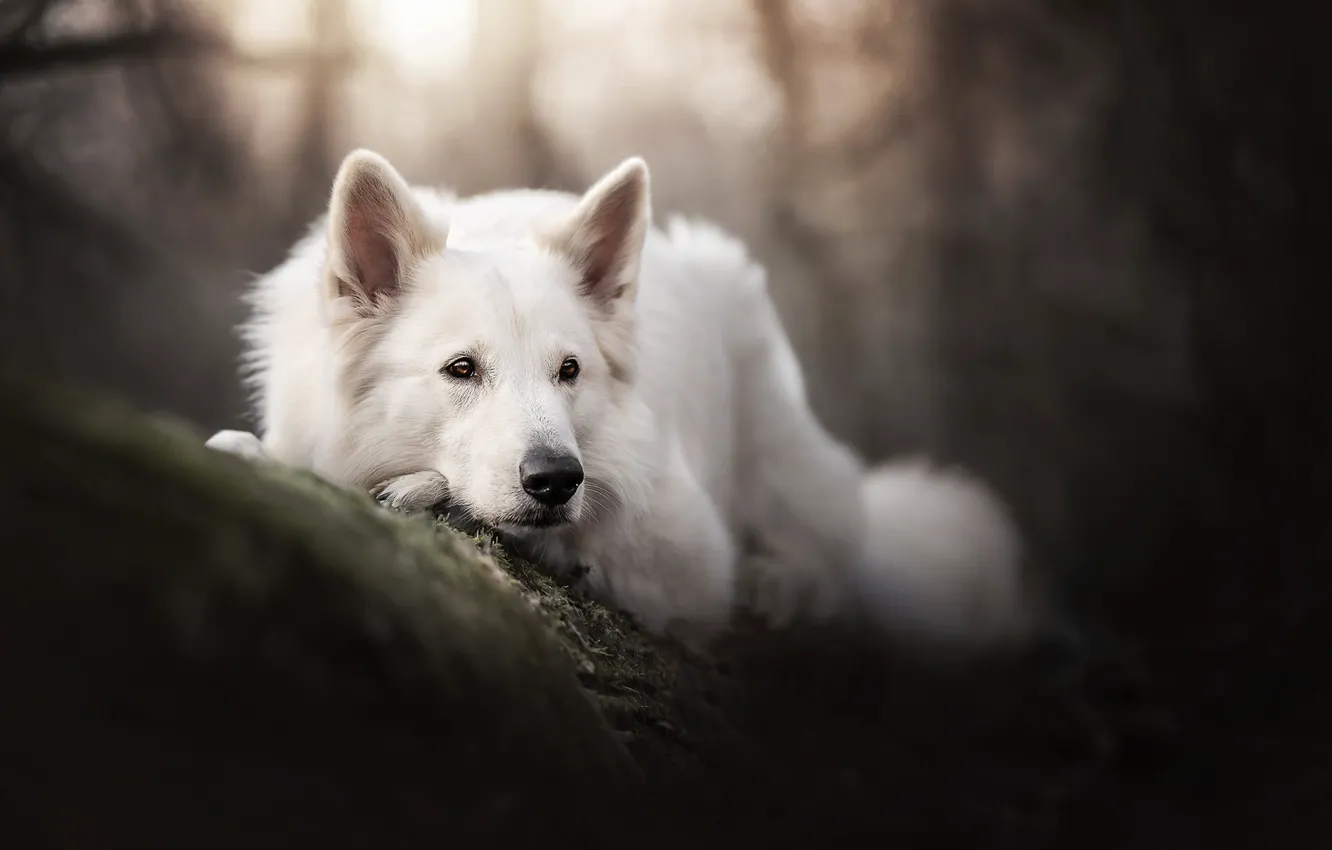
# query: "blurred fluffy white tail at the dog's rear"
{"points": [[942, 559]]}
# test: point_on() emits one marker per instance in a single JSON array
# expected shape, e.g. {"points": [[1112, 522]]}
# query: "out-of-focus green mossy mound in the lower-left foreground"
{"points": [[184, 627]]}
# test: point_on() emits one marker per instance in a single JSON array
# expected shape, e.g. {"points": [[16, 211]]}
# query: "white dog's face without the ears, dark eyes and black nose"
{"points": [[494, 366]]}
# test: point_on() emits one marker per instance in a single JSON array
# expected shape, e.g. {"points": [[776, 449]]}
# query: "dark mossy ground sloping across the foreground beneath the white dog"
{"points": [[200, 652]]}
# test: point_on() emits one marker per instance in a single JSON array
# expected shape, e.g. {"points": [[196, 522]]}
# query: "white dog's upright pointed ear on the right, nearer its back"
{"points": [[604, 239]]}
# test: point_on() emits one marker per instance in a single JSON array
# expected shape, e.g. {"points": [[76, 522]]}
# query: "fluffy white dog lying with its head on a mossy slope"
{"points": [[608, 395]]}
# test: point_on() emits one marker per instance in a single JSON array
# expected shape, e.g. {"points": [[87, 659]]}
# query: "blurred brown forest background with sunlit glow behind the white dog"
{"points": [[1060, 243]]}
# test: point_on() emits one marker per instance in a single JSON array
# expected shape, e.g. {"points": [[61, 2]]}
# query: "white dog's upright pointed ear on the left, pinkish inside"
{"points": [[376, 231]]}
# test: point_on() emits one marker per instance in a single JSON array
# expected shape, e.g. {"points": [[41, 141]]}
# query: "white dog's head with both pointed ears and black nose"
{"points": [[495, 366]]}
